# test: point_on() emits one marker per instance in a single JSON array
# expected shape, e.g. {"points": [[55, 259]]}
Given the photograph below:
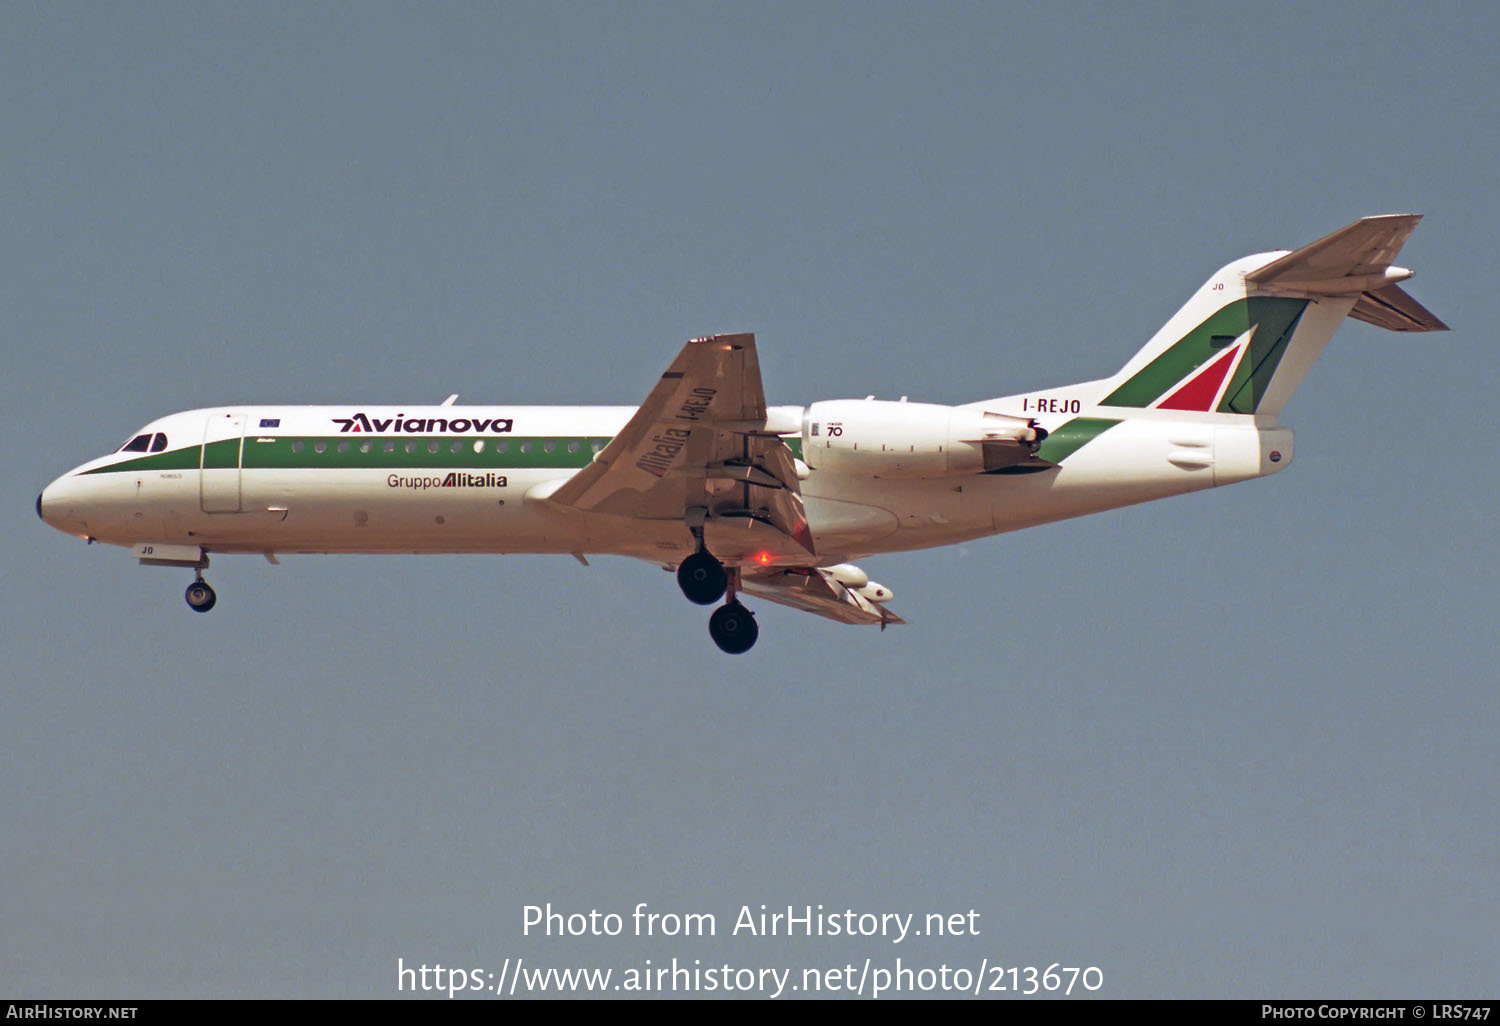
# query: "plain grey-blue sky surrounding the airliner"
{"points": [[1231, 745]]}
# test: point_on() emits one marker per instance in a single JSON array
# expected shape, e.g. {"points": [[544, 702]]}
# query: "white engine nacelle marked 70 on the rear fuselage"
{"points": [[883, 439]]}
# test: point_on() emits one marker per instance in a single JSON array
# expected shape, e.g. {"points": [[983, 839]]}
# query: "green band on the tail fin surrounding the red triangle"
{"points": [[1276, 317]]}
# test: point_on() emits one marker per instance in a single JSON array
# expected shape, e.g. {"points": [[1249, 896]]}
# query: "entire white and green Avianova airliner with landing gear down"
{"points": [[739, 497]]}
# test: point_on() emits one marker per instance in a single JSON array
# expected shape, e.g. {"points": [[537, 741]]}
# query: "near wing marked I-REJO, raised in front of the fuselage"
{"points": [[704, 440]]}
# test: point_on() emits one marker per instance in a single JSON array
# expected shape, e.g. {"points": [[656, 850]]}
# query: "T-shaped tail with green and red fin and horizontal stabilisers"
{"points": [[1250, 335]]}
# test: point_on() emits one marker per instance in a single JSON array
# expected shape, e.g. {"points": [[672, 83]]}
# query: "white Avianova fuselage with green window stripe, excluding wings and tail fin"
{"points": [[476, 479]]}
